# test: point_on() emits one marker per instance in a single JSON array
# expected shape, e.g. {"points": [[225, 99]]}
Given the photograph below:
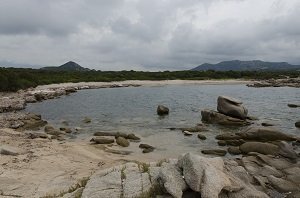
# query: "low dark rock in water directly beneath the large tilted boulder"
{"points": [[214, 117]]}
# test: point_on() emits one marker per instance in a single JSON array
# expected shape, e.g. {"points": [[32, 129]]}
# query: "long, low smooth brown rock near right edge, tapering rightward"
{"points": [[265, 134]]}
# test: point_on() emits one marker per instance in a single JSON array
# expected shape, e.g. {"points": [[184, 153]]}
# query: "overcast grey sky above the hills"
{"points": [[147, 34]]}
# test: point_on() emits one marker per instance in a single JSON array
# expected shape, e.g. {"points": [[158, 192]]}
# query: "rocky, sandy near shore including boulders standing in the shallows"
{"points": [[38, 162]]}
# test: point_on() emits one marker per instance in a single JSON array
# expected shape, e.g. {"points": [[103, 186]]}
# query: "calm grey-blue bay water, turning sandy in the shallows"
{"points": [[133, 110]]}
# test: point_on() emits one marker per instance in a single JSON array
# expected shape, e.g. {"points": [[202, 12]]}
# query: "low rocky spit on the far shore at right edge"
{"points": [[287, 82]]}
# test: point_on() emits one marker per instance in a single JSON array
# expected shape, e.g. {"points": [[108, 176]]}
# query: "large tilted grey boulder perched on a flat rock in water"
{"points": [[232, 107]]}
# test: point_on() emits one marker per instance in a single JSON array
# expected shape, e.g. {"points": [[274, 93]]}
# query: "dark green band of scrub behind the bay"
{"points": [[13, 79]]}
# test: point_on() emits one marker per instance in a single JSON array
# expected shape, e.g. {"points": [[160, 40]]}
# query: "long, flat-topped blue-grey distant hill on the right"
{"points": [[237, 65]]}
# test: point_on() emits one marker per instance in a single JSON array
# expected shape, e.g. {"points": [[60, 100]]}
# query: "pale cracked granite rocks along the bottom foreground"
{"points": [[196, 176]]}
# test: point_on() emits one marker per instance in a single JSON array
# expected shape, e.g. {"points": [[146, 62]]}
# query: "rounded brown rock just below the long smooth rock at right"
{"points": [[260, 147]]}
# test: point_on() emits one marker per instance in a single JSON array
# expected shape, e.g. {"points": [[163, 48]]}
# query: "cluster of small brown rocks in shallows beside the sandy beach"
{"points": [[121, 139]]}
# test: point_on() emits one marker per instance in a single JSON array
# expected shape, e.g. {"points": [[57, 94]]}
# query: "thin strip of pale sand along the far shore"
{"points": [[146, 83]]}
